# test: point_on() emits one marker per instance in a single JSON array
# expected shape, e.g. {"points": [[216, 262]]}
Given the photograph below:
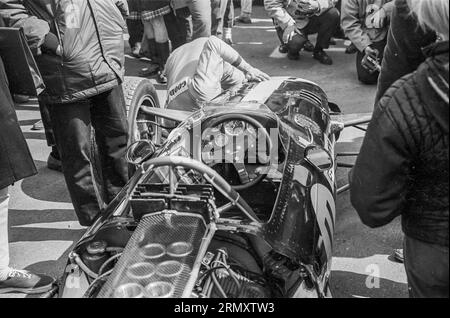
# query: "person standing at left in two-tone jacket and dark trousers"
{"points": [[79, 50]]}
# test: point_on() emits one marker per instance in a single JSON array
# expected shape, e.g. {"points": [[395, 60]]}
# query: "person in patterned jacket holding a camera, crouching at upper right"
{"points": [[366, 24]]}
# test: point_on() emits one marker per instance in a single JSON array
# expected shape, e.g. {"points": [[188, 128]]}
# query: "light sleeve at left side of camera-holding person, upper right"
{"points": [[351, 23]]}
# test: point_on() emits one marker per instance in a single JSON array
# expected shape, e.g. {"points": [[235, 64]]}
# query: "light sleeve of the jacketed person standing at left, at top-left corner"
{"points": [[16, 15]]}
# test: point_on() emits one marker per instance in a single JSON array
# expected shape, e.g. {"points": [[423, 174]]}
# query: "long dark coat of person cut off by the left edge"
{"points": [[15, 158]]}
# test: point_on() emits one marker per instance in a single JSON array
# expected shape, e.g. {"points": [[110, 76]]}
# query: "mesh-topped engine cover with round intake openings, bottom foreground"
{"points": [[161, 259]]}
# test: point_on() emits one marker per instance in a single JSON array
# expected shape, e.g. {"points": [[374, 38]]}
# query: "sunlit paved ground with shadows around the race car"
{"points": [[43, 225]]}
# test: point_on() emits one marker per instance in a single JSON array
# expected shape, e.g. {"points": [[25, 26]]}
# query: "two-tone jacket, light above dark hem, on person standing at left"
{"points": [[90, 34]]}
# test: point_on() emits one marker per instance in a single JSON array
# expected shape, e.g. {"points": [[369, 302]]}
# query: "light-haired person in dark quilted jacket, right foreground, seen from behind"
{"points": [[408, 136]]}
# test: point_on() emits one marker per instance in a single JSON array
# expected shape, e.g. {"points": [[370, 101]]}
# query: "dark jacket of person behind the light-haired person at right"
{"points": [[403, 52]]}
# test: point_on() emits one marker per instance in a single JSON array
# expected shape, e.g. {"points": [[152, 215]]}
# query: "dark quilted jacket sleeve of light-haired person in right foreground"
{"points": [[378, 182]]}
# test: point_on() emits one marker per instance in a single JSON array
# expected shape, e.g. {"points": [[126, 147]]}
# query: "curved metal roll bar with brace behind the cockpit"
{"points": [[214, 178]]}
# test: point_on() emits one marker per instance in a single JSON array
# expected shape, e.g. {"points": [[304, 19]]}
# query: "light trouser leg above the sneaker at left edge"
{"points": [[4, 248]]}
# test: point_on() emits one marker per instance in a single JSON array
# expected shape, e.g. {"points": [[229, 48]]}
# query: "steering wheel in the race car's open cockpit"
{"points": [[244, 177]]}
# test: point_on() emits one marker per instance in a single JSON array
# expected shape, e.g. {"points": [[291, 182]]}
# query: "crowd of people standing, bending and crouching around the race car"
{"points": [[401, 45]]}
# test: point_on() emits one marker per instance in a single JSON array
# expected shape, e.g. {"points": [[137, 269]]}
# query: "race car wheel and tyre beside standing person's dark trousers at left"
{"points": [[138, 92]]}
